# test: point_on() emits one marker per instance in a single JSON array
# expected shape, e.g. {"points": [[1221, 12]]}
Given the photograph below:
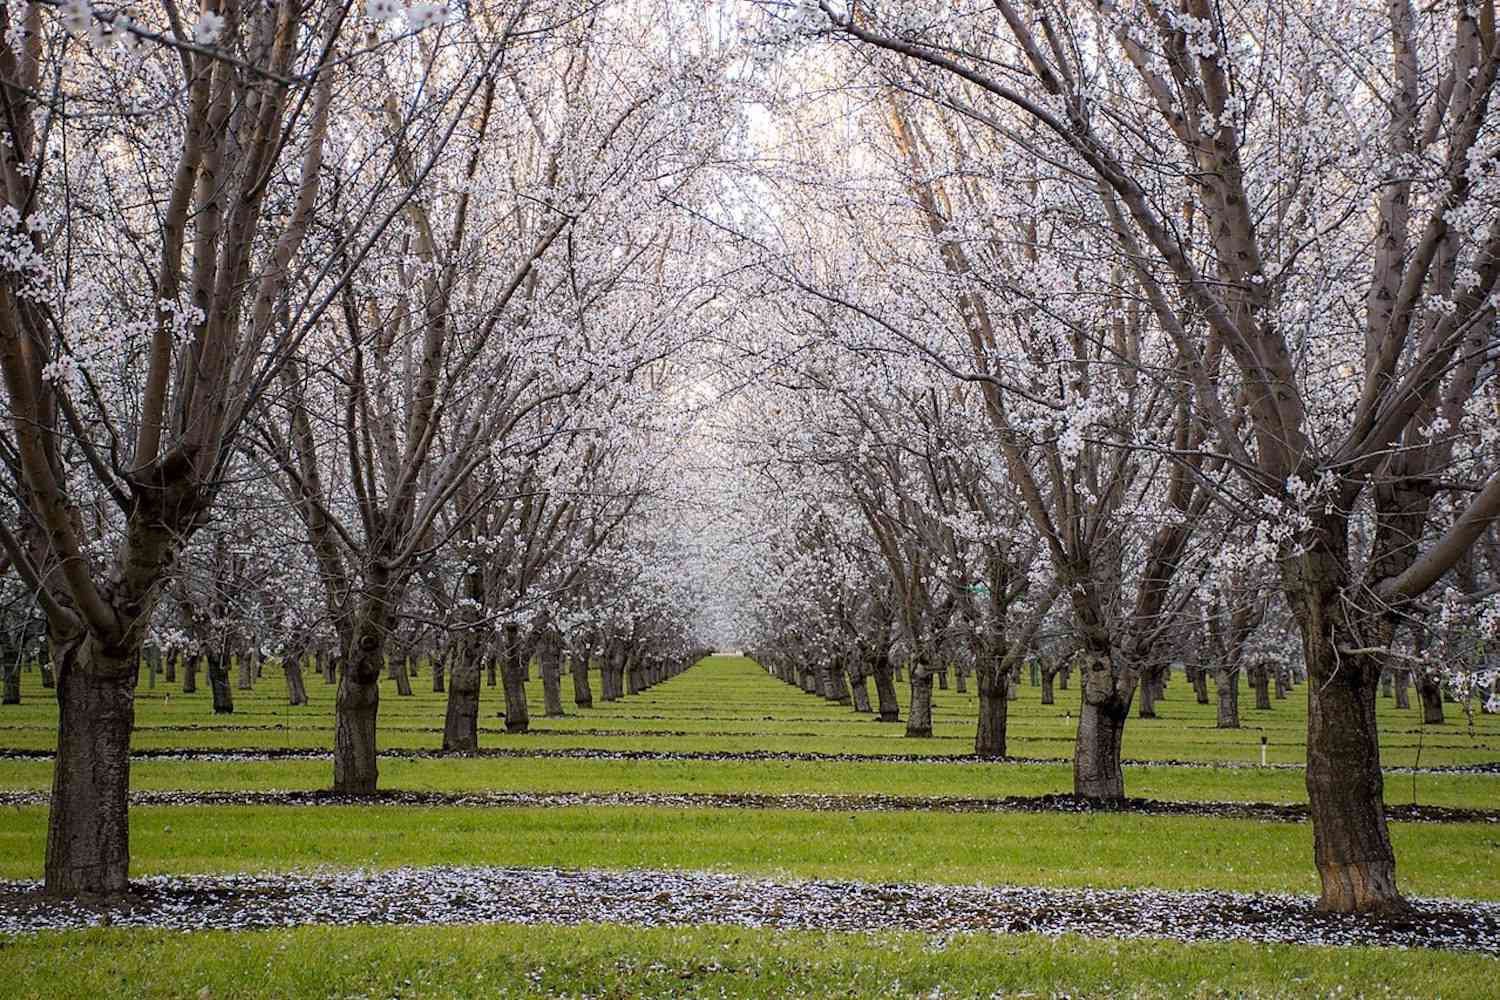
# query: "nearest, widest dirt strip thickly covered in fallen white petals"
{"points": [[676, 899]]}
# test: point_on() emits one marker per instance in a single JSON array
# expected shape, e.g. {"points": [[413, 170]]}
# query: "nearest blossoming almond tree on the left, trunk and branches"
{"points": [[136, 335]]}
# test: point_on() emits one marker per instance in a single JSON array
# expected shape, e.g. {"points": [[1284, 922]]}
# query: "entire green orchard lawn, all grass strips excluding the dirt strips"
{"points": [[730, 705]]}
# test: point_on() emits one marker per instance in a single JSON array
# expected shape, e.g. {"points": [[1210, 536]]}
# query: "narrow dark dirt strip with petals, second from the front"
{"points": [[1262, 812]]}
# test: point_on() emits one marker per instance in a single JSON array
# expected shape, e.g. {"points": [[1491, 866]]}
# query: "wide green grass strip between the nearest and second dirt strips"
{"points": [[1105, 851]]}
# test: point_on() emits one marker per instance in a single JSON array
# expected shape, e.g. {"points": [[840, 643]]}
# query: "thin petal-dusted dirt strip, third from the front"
{"points": [[581, 753]]}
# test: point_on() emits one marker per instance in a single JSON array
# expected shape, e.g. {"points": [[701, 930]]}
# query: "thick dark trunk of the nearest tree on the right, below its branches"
{"points": [[1346, 789]]}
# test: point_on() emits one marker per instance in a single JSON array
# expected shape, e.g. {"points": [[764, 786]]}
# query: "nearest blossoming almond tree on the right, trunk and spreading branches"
{"points": [[1324, 410]]}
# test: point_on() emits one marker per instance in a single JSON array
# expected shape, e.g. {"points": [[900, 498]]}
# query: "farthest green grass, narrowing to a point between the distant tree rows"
{"points": [[730, 704]]}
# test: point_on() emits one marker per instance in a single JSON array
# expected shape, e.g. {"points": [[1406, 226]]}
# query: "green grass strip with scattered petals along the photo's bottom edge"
{"points": [[704, 962]]}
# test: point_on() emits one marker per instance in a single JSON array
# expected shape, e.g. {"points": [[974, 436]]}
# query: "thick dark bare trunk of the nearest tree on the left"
{"points": [[88, 825]]}
